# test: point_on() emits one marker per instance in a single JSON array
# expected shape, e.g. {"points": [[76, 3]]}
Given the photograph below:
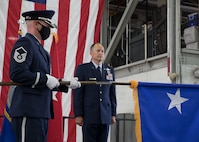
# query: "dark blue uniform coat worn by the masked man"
{"points": [[29, 65]]}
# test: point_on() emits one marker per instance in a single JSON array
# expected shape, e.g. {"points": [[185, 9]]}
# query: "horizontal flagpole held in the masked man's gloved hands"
{"points": [[68, 83]]}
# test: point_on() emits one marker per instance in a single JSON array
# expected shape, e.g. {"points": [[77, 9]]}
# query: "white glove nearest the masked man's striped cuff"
{"points": [[52, 82]]}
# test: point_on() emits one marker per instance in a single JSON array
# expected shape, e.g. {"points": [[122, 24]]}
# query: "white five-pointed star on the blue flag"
{"points": [[176, 100]]}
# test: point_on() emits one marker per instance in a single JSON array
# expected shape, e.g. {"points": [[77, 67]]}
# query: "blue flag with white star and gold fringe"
{"points": [[166, 112]]}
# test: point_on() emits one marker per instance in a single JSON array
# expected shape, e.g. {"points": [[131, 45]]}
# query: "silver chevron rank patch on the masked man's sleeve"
{"points": [[20, 55]]}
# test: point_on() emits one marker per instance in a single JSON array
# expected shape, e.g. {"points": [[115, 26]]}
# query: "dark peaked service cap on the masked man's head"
{"points": [[44, 15]]}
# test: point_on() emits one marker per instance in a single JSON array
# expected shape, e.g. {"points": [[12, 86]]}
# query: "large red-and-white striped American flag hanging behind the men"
{"points": [[78, 24]]}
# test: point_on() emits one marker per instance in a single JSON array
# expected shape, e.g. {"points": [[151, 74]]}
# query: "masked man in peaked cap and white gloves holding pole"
{"points": [[31, 105]]}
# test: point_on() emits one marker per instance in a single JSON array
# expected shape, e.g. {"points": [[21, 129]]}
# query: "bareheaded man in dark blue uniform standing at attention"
{"points": [[95, 105]]}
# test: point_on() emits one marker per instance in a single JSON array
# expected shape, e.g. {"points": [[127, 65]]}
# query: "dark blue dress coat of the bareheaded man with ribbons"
{"points": [[96, 103]]}
